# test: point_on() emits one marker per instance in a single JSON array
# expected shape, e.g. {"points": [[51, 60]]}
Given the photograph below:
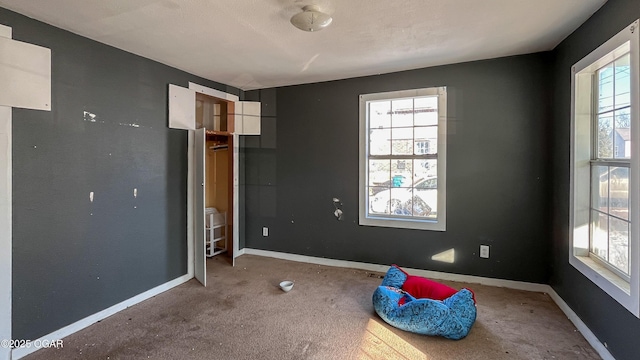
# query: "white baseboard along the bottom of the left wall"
{"points": [[92, 319]]}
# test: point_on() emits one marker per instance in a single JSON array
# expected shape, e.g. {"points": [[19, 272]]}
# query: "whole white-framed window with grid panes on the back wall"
{"points": [[403, 159]]}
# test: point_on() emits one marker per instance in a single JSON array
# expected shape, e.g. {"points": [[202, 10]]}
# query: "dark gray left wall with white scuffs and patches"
{"points": [[73, 257]]}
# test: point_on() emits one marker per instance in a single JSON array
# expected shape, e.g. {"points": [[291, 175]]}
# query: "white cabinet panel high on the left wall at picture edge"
{"points": [[25, 75]]}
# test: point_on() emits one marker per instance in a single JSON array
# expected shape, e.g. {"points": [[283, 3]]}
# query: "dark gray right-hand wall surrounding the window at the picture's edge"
{"points": [[608, 320]]}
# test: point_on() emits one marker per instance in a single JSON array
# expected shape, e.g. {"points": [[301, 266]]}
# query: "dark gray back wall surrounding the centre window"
{"points": [[497, 182]]}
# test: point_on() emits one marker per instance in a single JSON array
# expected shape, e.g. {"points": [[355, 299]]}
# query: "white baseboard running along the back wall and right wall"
{"points": [[518, 285]]}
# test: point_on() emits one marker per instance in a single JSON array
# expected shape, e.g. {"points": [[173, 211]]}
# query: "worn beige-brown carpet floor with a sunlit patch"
{"points": [[242, 314]]}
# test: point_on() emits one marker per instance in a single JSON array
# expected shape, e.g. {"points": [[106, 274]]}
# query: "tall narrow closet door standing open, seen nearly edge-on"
{"points": [[200, 266]]}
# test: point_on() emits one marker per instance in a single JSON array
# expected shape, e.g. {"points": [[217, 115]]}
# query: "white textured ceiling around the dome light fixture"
{"points": [[251, 44]]}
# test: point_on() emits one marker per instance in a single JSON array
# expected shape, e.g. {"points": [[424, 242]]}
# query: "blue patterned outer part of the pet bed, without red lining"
{"points": [[451, 318]]}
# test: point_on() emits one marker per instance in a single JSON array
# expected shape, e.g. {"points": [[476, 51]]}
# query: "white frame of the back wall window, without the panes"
{"points": [[438, 224]]}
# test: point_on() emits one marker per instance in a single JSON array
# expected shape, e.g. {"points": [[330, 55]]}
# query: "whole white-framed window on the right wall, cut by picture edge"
{"points": [[605, 168]]}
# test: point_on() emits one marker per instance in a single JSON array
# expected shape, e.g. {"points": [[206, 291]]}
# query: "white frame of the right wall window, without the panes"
{"points": [[624, 291]]}
